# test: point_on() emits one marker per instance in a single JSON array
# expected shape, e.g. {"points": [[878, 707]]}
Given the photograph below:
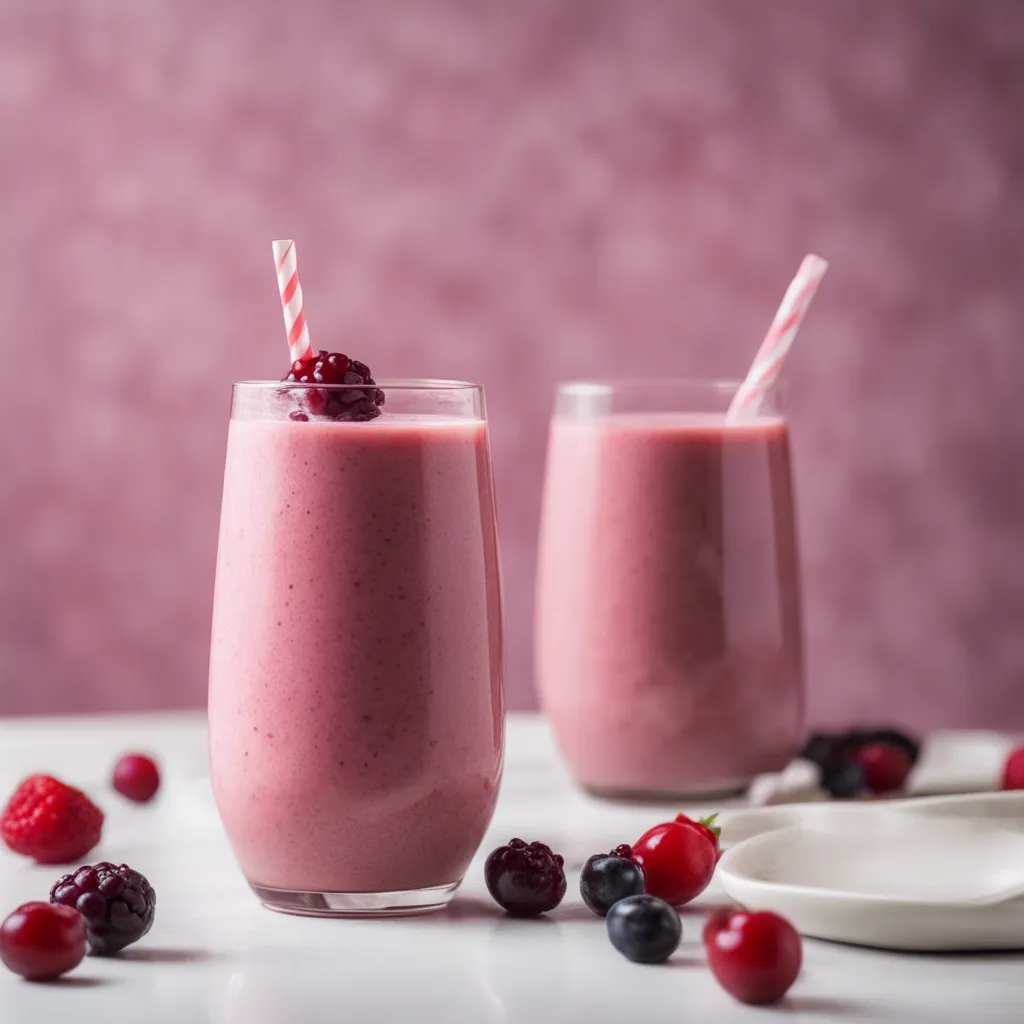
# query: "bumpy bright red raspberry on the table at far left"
{"points": [[51, 822]]}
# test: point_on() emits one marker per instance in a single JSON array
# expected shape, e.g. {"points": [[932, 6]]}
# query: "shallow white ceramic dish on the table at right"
{"points": [[940, 874]]}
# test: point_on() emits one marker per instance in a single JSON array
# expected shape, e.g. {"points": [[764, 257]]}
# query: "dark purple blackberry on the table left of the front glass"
{"points": [[118, 905]]}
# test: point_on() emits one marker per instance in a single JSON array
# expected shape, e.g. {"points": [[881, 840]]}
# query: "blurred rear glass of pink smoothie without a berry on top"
{"points": [[669, 642]]}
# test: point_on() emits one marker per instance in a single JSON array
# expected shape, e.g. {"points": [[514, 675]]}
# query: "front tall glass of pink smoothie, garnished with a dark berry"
{"points": [[357, 720]]}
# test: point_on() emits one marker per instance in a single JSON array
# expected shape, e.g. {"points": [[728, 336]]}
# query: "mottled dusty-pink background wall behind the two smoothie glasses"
{"points": [[516, 192]]}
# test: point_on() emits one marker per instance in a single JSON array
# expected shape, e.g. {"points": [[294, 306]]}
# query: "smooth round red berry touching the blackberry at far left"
{"points": [[41, 942]]}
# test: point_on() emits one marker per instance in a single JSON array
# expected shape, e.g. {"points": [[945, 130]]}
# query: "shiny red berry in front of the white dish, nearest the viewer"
{"points": [[755, 957]]}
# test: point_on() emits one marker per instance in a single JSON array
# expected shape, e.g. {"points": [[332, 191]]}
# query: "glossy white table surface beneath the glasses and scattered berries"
{"points": [[217, 956]]}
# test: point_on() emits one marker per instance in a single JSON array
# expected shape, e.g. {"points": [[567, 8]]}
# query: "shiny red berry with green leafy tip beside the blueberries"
{"points": [[678, 859]]}
